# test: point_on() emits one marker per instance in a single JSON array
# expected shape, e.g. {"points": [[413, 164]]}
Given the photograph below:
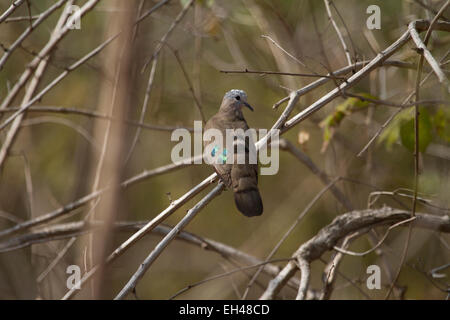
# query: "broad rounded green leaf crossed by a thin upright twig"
{"points": [[407, 135]]}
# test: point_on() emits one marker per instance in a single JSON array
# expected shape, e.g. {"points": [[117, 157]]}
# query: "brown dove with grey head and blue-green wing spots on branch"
{"points": [[241, 178]]}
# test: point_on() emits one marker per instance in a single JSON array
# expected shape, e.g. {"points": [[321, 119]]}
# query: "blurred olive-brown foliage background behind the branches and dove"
{"points": [[227, 35]]}
